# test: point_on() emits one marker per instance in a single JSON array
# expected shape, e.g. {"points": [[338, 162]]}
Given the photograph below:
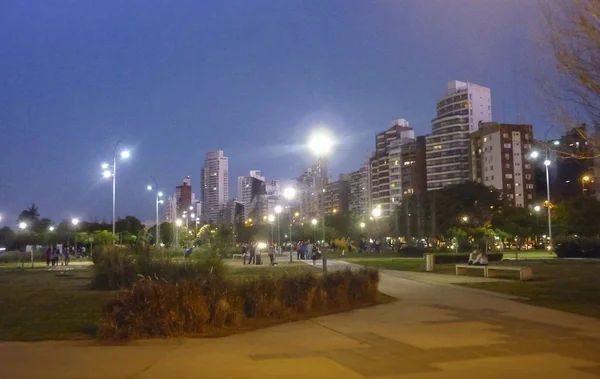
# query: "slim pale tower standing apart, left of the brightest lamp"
{"points": [[215, 185]]}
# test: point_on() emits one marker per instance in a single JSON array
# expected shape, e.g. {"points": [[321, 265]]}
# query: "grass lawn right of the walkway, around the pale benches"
{"points": [[568, 285]]}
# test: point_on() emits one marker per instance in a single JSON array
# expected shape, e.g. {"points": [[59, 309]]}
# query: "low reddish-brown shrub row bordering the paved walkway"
{"points": [[158, 308]]}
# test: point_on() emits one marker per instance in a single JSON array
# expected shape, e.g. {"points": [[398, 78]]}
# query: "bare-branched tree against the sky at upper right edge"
{"points": [[574, 92]]}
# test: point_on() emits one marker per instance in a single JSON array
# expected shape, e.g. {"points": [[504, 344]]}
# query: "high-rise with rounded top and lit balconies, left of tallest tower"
{"points": [[385, 165]]}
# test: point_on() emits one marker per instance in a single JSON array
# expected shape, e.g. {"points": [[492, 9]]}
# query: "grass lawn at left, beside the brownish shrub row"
{"points": [[37, 304]]}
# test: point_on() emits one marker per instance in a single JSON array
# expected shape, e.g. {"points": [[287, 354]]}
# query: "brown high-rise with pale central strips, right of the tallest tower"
{"points": [[499, 158]]}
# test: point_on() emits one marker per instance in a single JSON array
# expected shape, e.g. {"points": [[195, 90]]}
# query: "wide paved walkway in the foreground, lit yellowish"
{"points": [[435, 331]]}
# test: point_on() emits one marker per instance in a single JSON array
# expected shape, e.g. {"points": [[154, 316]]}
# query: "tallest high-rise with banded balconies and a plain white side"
{"points": [[459, 113]]}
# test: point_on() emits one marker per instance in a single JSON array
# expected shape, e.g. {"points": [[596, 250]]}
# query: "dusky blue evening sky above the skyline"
{"points": [[178, 78]]}
